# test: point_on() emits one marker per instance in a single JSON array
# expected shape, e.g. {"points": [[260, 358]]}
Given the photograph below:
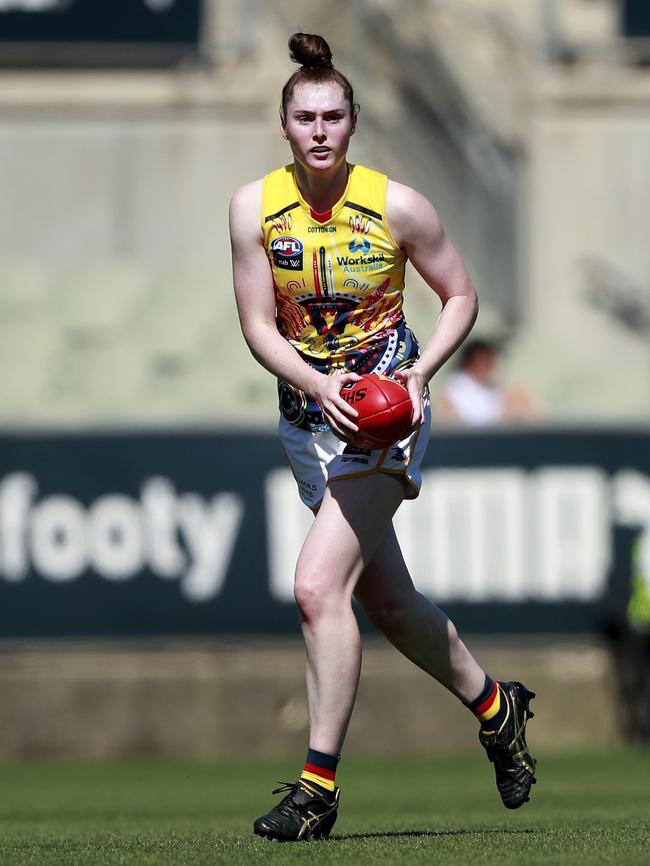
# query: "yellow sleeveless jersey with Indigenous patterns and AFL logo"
{"points": [[339, 281]]}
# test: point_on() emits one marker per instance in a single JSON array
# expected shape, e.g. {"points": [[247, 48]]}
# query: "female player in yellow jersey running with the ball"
{"points": [[319, 251]]}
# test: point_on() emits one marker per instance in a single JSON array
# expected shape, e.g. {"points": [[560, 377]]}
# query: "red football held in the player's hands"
{"points": [[384, 408]]}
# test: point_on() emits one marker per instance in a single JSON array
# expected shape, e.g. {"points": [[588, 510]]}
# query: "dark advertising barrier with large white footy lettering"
{"points": [[188, 533]]}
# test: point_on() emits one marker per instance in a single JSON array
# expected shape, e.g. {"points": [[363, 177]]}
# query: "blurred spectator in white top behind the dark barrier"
{"points": [[471, 394]]}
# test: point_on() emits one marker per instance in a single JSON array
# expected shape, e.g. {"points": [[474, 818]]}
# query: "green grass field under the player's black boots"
{"points": [[589, 809]]}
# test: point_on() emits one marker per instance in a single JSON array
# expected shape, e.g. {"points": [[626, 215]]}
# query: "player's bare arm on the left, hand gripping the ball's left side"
{"points": [[255, 295]]}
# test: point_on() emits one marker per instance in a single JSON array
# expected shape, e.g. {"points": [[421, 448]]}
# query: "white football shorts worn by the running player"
{"points": [[317, 458]]}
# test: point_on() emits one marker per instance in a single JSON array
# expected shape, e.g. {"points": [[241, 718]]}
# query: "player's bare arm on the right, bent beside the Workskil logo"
{"points": [[418, 230]]}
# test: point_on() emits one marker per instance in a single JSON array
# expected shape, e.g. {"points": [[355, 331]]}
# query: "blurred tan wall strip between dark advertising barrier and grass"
{"points": [[209, 698]]}
